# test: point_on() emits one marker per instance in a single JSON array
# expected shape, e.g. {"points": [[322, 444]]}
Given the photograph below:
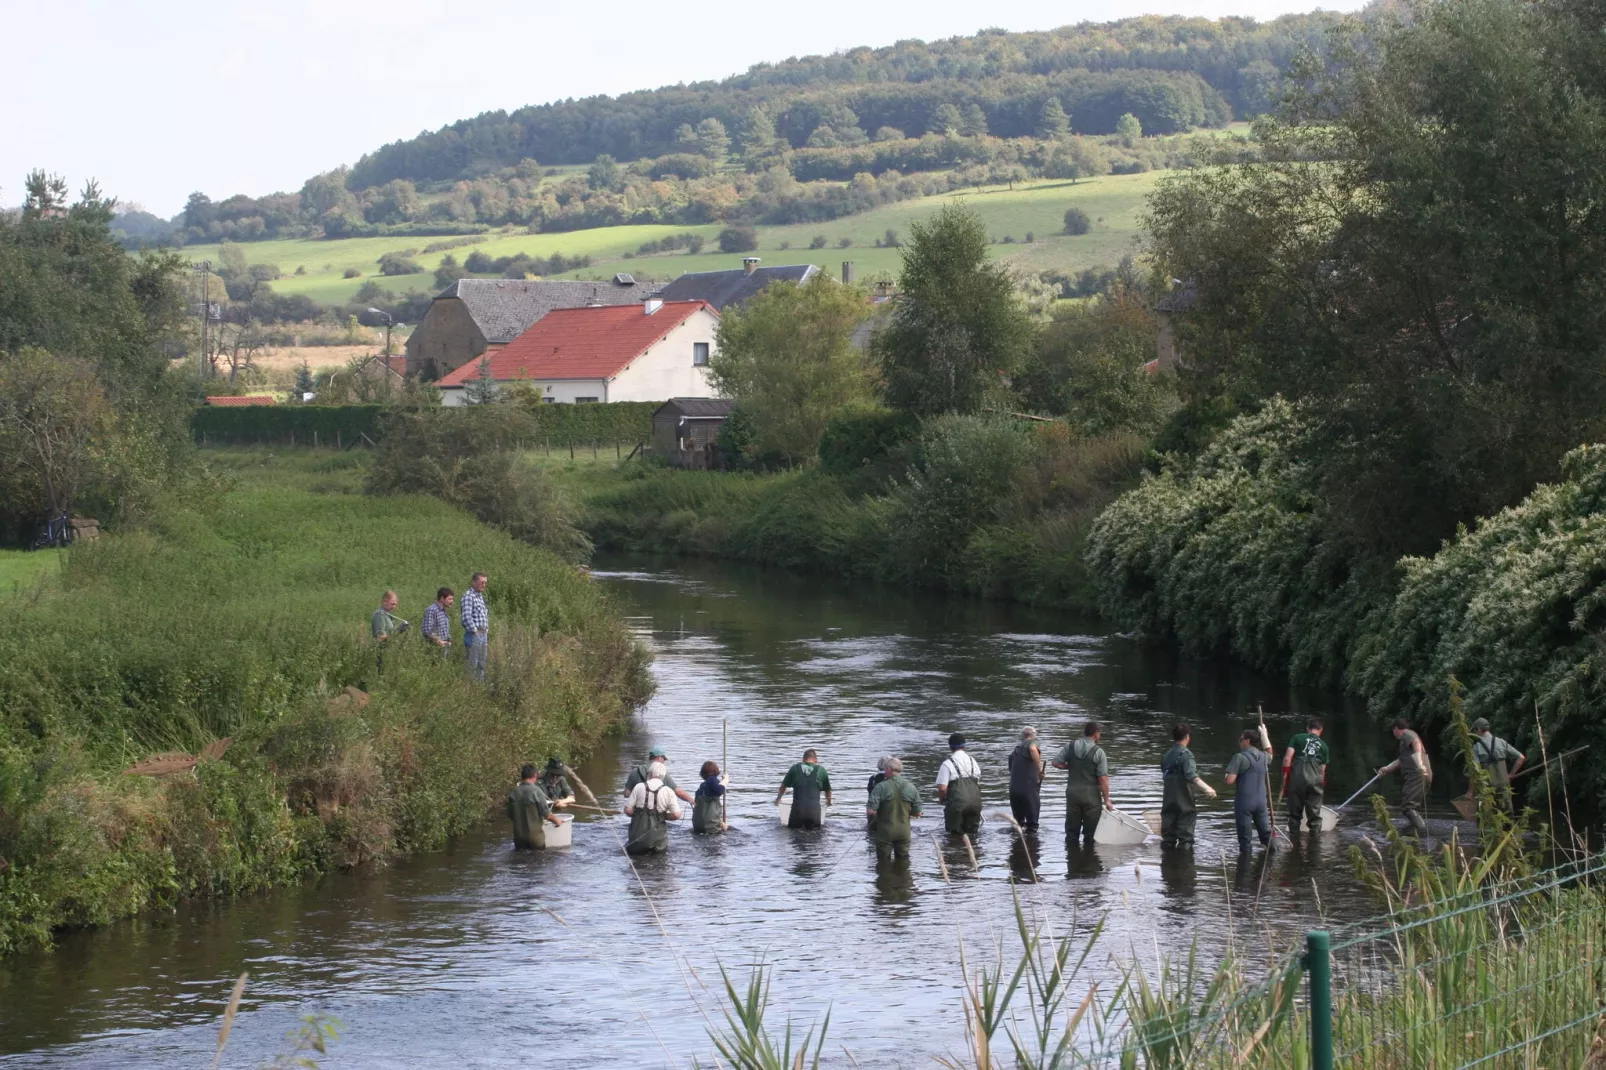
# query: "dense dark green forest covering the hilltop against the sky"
{"points": [[1172, 73]]}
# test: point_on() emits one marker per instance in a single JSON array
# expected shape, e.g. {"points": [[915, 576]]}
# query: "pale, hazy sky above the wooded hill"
{"points": [[163, 97]]}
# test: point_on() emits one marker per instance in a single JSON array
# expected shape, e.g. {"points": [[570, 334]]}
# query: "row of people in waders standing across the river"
{"points": [[654, 799]]}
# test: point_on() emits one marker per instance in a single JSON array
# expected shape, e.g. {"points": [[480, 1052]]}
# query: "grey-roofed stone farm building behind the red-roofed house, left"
{"points": [[479, 316]]}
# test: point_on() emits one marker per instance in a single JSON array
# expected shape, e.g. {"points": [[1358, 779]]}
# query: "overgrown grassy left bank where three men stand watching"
{"points": [[242, 615]]}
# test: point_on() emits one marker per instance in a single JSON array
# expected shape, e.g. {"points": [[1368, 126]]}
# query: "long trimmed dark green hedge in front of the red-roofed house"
{"points": [[346, 425]]}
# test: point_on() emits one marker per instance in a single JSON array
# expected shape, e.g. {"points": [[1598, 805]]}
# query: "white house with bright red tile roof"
{"points": [[648, 353]]}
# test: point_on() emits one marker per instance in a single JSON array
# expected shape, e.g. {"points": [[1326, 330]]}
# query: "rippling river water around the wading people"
{"points": [[476, 957]]}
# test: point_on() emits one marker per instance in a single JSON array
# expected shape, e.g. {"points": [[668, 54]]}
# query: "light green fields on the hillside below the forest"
{"points": [[1114, 202]]}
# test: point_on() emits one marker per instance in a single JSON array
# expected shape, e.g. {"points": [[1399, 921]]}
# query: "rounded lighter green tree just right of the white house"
{"points": [[788, 357]]}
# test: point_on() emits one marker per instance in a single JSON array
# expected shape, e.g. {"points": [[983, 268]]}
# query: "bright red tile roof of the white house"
{"points": [[581, 343]]}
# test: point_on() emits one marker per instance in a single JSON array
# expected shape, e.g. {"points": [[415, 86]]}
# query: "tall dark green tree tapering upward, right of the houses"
{"points": [[958, 332]]}
